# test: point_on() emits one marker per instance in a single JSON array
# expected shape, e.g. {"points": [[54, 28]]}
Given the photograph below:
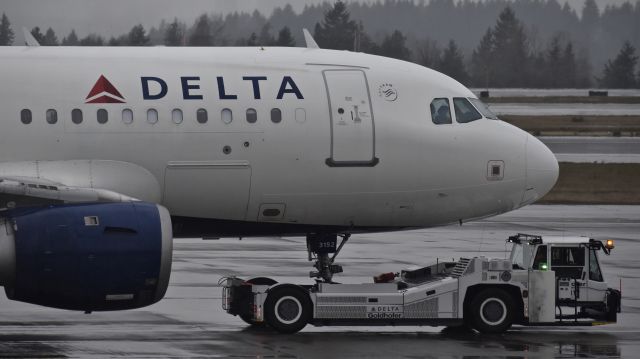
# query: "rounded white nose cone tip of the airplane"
{"points": [[542, 170]]}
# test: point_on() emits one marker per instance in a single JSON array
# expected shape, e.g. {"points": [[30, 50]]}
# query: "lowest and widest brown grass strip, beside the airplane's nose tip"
{"points": [[596, 183]]}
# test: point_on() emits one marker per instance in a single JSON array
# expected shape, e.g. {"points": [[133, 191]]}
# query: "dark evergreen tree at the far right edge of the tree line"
{"points": [[620, 72]]}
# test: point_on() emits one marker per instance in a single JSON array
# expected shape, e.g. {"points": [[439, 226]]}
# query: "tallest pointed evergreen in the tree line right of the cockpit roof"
{"points": [[510, 54]]}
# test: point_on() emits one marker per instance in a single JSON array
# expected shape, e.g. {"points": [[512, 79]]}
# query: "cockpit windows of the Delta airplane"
{"points": [[464, 109]]}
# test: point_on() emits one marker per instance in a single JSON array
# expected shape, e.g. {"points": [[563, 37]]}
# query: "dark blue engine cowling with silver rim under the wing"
{"points": [[89, 257]]}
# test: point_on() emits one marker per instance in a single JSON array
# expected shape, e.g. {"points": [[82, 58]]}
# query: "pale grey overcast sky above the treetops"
{"points": [[115, 17]]}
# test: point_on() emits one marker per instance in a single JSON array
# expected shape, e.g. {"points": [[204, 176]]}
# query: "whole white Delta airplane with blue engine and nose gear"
{"points": [[107, 154]]}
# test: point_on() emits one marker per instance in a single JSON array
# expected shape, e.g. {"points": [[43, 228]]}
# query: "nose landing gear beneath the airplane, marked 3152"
{"points": [[319, 247]]}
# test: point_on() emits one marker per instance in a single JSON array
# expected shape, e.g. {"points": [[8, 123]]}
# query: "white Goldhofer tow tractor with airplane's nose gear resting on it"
{"points": [[547, 281]]}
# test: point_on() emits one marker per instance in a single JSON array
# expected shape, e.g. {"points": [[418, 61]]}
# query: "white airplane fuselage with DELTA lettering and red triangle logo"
{"points": [[356, 147]]}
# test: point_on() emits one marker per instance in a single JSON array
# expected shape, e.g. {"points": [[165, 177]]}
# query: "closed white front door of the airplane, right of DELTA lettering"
{"points": [[351, 116]]}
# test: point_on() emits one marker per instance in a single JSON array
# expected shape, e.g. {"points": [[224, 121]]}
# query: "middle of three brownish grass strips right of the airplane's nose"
{"points": [[577, 125]]}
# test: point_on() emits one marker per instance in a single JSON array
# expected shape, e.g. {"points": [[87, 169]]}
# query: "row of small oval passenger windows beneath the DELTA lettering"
{"points": [[177, 117]]}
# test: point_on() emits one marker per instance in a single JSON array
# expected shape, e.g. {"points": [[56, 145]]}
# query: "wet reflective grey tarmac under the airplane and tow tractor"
{"points": [[189, 322]]}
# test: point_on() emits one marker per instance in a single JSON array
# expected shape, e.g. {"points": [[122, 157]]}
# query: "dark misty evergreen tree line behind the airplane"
{"points": [[508, 53]]}
